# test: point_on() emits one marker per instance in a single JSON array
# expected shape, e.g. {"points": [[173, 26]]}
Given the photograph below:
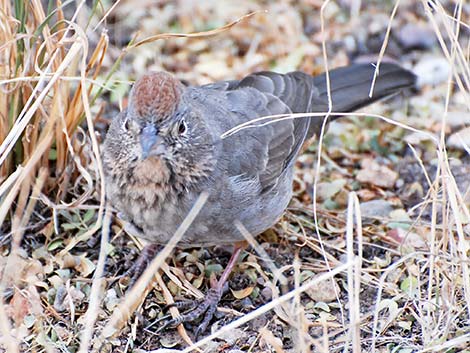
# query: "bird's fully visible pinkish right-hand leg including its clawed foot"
{"points": [[207, 306]]}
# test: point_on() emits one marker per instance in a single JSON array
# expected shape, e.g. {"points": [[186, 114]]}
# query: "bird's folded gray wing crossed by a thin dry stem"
{"points": [[265, 150]]}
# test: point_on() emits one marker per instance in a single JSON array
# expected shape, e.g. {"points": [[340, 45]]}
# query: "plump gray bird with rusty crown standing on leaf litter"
{"points": [[168, 146]]}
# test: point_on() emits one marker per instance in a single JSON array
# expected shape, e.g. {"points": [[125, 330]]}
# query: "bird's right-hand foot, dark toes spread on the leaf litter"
{"points": [[194, 309]]}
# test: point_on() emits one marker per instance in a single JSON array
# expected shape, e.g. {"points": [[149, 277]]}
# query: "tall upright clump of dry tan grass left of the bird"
{"points": [[47, 81]]}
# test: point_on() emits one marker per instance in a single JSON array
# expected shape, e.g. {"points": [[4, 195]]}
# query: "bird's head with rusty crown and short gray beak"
{"points": [[160, 137]]}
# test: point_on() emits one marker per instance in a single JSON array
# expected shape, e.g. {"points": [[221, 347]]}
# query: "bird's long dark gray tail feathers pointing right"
{"points": [[350, 86]]}
